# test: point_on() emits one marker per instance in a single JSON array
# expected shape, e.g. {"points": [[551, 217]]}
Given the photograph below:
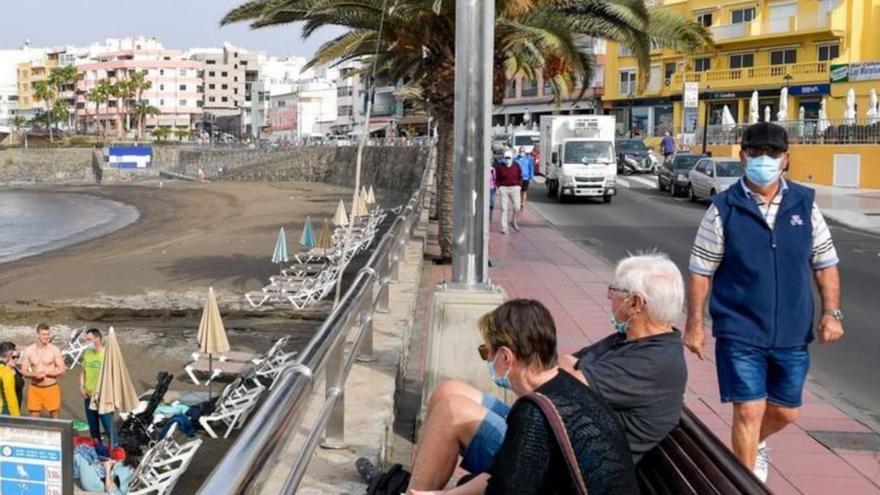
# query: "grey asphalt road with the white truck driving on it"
{"points": [[642, 218]]}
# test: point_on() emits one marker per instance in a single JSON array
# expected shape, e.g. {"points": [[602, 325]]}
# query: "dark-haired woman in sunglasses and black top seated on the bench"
{"points": [[561, 437]]}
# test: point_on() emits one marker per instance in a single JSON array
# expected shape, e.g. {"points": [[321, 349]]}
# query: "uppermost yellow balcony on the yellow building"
{"points": [[779, 27]]}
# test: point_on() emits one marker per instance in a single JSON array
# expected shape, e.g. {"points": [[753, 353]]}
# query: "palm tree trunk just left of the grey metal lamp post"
{"points": [[445, 176]]}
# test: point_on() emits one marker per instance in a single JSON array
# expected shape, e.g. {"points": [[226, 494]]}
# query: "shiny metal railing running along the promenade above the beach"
{"points": [[246, 465]]}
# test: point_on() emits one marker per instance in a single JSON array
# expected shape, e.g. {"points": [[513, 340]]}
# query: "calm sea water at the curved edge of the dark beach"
{"points": [[35, 222]]}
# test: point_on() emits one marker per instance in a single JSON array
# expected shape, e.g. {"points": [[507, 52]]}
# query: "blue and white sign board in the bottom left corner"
{"points": [[36, 456]]}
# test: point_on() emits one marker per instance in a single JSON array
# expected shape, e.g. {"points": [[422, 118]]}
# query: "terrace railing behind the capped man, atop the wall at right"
{"points": [[838, 131]]}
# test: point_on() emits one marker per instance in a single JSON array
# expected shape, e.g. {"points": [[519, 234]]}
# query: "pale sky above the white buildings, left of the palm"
{"points": [[178, 24]]}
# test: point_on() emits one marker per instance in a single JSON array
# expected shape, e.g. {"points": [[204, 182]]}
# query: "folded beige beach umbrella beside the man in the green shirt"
{"points": [[115, 391]]}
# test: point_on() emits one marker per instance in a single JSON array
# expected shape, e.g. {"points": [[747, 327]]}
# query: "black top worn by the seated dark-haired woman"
{"points": [[530, 460]]}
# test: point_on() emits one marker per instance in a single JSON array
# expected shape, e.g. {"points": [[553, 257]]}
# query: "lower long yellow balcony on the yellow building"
{"points": [[750, 77]]}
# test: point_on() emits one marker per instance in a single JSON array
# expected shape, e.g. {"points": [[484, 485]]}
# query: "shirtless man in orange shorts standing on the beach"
{"points": [[42, 364]]}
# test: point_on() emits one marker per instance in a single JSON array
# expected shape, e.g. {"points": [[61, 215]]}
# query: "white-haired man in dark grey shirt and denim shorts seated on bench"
{"points": [[639, 370]]}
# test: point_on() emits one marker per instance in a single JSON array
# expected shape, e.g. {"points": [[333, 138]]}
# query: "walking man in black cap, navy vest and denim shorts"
{"points": [[759, 245]]}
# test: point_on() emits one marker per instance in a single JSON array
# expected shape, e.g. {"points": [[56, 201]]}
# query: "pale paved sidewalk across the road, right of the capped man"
{"points": [[856, 208]]}
